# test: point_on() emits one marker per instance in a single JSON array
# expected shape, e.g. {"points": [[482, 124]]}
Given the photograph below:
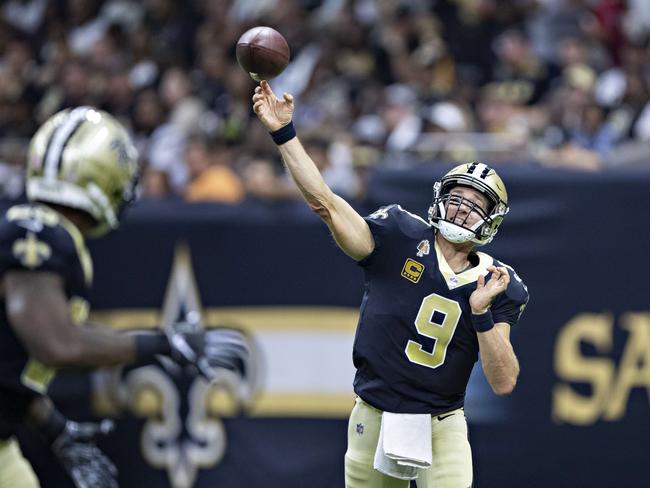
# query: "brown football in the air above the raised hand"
{"points": [[263, 52]]}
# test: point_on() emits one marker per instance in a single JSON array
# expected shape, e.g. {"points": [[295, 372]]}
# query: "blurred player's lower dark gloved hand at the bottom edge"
{"points": [[84, 462]]}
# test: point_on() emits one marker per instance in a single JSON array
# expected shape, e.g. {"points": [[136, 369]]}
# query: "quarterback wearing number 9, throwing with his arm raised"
{"points": [[432, 306]]}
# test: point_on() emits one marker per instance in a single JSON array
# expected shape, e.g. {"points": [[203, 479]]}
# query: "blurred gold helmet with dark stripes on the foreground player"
{"points": [[83, 158]]}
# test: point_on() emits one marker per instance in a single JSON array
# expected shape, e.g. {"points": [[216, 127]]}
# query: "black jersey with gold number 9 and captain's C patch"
{"points": [[415, 346]]}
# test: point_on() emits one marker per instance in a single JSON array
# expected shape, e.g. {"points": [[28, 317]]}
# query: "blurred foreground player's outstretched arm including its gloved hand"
{"points": [[37, 310]]}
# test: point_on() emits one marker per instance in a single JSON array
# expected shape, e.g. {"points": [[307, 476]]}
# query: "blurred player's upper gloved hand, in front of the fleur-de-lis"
{"points": [[209, 350]]}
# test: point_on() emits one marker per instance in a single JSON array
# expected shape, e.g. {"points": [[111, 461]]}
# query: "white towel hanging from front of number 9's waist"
{"points": [[404, 446]]}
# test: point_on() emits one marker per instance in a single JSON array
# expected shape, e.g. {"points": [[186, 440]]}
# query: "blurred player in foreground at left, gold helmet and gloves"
{"points": [[81, 173]]}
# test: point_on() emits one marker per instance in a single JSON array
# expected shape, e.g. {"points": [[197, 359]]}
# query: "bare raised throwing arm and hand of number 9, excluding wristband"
{"points": [[350, 231]]}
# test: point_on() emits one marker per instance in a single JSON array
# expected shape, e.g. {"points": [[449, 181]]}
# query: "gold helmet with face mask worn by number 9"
{"points": [[482, 178]]}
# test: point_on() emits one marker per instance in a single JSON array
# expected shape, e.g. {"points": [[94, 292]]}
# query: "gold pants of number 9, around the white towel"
{"points": [[452, 455]]}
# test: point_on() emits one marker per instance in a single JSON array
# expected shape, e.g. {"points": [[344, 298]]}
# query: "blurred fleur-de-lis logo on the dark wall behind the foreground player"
{"points": [[183, 431]]}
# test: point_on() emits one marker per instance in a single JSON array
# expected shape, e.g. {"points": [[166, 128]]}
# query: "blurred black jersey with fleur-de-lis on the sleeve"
{"points": [[36, 238]]}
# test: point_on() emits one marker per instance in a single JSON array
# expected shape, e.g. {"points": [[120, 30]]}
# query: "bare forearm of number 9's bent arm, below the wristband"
{"points": [[500, 364]]}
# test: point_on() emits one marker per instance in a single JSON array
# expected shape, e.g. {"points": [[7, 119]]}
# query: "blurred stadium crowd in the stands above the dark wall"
{"points": [[378, 82]]}
